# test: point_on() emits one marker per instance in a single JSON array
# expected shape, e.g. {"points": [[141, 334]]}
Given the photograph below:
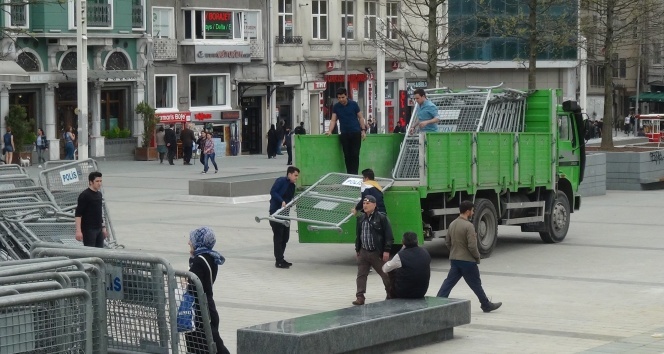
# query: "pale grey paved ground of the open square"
{"points": [[599, 290]]}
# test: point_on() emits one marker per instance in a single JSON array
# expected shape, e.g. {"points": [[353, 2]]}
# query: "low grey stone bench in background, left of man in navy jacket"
{"points": [[235, 186]]}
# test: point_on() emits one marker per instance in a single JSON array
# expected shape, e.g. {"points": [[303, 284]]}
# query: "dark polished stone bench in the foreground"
{"points": [[378, 327]]}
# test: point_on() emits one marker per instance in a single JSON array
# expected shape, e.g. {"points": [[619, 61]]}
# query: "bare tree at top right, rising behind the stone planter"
{"points": [[613, 24]]}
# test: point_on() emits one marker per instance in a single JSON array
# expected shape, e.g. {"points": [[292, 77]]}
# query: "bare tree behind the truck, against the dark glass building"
{"points": [[543, 29]]}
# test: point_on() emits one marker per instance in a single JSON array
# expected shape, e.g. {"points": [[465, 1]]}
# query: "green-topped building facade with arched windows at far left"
{"points": [[48, 55]]}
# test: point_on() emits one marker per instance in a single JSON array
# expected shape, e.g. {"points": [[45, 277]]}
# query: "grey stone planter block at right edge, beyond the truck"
{"points": [[635, 170]]}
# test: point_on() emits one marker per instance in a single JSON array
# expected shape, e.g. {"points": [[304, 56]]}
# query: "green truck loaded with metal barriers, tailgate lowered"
{"points": [[518, 156]]}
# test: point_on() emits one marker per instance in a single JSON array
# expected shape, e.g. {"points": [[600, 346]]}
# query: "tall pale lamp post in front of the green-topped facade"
{"points": [[82, 77]]}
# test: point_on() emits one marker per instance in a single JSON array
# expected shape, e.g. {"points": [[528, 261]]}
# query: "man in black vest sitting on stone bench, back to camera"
{"points": [[410, 270]]}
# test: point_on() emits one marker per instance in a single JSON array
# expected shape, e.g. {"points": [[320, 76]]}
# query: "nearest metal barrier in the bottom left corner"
{"points": [[54, 321]]}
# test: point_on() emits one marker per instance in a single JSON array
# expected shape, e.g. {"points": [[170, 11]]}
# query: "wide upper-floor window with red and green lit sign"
{"points": [[219, 24]]}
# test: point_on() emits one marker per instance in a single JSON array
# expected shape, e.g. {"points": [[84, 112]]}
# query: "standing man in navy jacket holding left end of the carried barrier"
{"points": [[282, 192]]}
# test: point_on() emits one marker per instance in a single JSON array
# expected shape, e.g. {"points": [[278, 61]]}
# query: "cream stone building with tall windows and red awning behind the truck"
{"points": [[311, 39]]}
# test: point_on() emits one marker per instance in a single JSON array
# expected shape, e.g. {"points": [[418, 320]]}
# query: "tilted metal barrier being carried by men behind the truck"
{"points": [[326, 204]]}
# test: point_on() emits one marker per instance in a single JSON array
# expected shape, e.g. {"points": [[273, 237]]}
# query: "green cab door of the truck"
{"points": [[568, 149]]}
